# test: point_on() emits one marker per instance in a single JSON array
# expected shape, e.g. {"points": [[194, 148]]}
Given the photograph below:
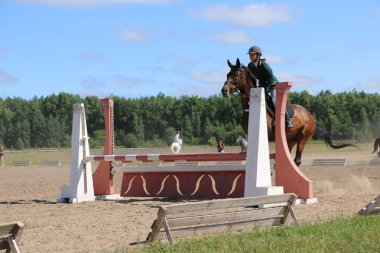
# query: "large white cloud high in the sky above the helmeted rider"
{"points": [[250, 15]]}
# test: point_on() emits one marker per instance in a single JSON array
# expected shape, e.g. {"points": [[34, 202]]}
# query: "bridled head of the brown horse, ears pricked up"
{"points": [[237, 79]]}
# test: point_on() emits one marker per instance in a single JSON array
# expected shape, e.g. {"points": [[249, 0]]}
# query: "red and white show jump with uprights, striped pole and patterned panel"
{"points": [[207, 175]]}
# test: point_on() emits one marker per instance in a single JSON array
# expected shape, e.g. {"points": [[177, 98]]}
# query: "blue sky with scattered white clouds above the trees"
{"points": [[134, 49]]}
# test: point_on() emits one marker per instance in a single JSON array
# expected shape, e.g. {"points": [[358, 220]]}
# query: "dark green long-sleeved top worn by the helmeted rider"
{"points": [[265, 75]]}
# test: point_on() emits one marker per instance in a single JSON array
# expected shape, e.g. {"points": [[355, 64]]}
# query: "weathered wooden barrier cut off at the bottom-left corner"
{"points": [[10, 235]]}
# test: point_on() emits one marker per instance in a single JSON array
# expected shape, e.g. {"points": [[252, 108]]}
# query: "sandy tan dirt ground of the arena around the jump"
{"points": [[29, 194]]}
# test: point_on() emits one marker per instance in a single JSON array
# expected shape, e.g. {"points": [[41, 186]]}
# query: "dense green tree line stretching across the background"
{"points": [[45, 122]]}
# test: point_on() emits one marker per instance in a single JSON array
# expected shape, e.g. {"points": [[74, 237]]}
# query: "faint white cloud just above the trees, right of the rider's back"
{"points": [[299, 81]]}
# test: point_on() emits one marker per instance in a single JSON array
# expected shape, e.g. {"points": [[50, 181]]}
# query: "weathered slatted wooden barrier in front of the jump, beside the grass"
{"points": [[221, 215]]}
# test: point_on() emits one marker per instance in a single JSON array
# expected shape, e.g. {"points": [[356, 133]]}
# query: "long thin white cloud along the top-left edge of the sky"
{"points": [[84, 3]]}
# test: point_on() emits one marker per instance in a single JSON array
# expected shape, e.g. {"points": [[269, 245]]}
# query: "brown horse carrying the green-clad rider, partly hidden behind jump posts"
{"points": [[241, 80]]}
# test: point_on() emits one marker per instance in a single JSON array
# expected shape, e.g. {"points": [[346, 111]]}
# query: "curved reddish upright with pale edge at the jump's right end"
{"points": [[287, 173]]}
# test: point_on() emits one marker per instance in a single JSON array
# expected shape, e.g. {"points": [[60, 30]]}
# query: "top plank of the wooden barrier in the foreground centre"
{"points": [[281, 200]]}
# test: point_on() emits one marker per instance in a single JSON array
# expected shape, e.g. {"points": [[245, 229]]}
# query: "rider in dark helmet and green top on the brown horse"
{"points": [[261, 70]]}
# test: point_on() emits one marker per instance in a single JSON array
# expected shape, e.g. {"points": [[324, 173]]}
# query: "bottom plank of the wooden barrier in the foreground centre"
{"points": [[213, 229]]}
